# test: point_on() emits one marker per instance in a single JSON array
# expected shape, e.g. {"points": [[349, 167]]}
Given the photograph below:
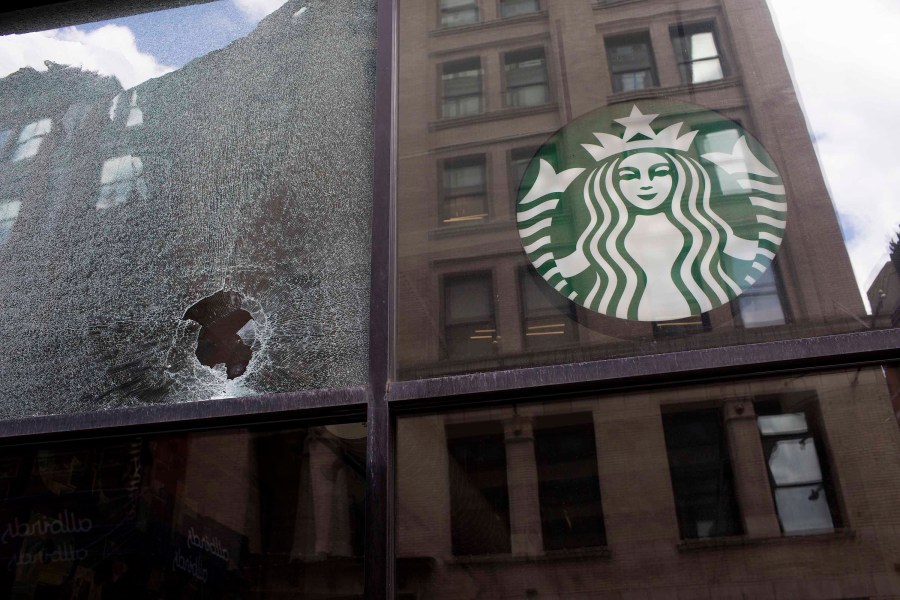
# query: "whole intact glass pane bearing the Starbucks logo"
{"points": [[660, 210]]}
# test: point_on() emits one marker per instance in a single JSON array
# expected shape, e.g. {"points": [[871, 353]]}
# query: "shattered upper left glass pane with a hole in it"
{"points": [[233, 176]]}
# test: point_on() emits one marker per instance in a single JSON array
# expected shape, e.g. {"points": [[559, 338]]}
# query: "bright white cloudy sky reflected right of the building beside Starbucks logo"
{"points": [[845, 64]]}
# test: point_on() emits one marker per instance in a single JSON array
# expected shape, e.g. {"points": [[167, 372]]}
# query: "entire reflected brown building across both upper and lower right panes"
{"points": [[744, 490]]}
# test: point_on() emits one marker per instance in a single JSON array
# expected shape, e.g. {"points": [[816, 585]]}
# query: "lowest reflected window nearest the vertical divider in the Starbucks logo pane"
{"points": [[469, 326]]}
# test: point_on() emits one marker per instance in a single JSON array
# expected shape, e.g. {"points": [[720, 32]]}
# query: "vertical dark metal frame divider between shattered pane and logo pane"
{"points": [[379, 545]]}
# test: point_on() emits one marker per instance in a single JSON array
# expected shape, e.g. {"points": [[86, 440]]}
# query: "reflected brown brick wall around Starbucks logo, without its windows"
{"points": [[819, 292]]}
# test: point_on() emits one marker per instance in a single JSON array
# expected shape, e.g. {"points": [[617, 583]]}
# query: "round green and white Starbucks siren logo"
{"points": [[651, 211]]}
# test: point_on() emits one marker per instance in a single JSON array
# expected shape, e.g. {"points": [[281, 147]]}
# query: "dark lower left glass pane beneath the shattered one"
{"points": [[236, 513]]}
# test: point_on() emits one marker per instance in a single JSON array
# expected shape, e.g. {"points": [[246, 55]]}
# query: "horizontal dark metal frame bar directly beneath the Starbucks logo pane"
{"points": [[817, 353]]}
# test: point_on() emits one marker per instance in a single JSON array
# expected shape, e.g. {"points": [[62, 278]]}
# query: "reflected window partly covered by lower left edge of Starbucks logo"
{"points": [[548, 317]]}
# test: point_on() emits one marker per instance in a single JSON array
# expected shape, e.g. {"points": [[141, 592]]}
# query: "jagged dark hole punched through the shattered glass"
{"points": [[227, 332]]}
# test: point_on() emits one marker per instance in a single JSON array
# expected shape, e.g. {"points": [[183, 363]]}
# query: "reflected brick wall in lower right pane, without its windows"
{"points": [[644, 556]]}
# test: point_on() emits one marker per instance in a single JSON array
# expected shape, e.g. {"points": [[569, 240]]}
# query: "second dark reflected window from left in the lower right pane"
{"points": [[568, 484]]}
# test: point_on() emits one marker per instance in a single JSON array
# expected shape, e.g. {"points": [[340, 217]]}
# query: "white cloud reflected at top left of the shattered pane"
{"points": [[109, 50]]}
